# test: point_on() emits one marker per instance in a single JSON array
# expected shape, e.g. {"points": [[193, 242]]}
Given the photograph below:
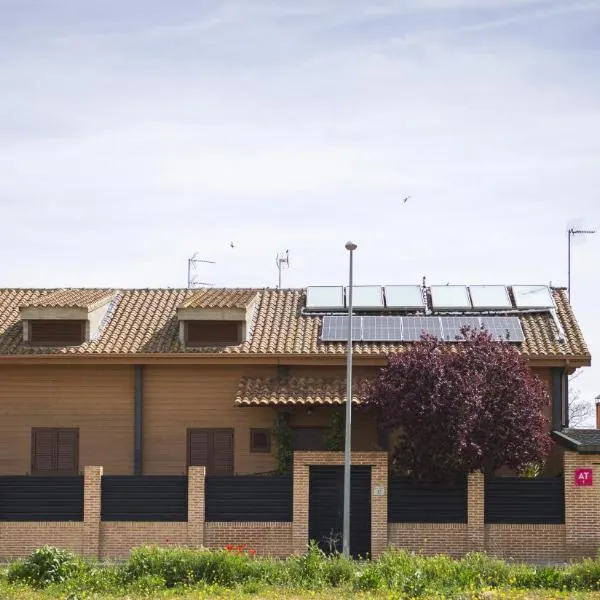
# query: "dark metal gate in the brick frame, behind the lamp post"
{"points": [[325, 512]]}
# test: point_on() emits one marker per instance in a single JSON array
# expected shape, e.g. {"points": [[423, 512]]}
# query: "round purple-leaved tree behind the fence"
{"points": [[454, 409]]}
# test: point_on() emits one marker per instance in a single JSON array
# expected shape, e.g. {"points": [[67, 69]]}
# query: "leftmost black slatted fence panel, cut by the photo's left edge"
{"points": [[40, 498]]}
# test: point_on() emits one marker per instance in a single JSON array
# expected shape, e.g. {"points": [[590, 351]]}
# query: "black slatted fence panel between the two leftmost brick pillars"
{"points": [[144, 498]]}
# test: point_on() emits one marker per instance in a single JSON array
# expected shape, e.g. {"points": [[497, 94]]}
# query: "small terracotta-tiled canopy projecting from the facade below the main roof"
{"points": [[289, 391]]}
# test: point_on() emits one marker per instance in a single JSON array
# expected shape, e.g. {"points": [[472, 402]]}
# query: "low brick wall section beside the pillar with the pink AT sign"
{"points": [[533, 543]]}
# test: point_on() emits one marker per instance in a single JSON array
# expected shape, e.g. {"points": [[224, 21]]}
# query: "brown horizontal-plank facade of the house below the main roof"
{"points": [[97, 401]]}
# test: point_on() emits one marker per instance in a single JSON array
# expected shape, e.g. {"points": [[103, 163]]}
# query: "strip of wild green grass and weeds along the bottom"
{"points": [[153, 572]]}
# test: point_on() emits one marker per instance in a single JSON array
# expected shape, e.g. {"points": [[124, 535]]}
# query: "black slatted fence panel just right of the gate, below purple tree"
{"points": [[415, 502]]}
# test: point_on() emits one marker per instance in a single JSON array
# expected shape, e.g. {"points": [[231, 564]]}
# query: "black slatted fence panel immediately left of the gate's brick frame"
{"points": [[248, 498]]}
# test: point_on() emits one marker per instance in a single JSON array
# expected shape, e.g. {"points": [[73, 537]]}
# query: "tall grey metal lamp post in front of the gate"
{"points": [[351, 247]]}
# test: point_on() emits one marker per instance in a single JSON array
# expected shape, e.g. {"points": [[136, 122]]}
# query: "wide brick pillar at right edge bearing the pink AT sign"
{"points": [[582, 507]]}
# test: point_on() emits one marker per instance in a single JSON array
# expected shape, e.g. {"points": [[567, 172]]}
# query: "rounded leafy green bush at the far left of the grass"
{"points": [[45, 566]]}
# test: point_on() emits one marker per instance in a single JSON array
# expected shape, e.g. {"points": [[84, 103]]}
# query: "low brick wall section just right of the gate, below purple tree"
{"points": [[430, 538]]}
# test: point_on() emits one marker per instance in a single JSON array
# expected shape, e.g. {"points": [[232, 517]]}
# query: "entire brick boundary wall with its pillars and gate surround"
{"points": [[579, 537]]}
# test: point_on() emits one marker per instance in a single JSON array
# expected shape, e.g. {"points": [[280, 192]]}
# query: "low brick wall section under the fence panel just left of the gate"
{"points": [[273, 539]]}
